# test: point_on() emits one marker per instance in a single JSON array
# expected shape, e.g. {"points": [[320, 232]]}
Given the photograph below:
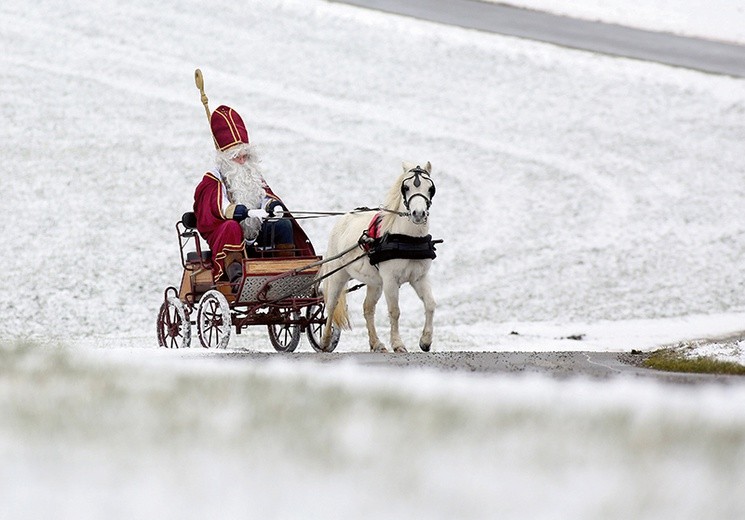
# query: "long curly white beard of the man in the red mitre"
{"points": [[244, 185]]}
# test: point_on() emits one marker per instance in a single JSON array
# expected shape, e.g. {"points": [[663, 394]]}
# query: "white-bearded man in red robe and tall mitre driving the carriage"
{"points": [[235, 208]]}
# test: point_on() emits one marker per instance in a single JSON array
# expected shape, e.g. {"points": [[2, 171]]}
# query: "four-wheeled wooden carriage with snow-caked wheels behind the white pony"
{"points": [[279, 292]]}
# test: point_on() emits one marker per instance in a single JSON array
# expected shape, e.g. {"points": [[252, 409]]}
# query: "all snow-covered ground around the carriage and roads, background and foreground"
{"points": [[577, 194]]}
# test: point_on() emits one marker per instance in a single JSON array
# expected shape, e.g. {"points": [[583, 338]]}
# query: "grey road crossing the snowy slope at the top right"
{"points": [[693, 53]]}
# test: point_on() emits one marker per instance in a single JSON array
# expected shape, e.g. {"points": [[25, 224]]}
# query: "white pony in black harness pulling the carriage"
{"points": [[405, 212]]}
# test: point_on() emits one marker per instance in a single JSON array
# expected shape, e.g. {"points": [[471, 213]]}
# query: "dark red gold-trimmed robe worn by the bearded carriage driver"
{"points": [[226, 235]]}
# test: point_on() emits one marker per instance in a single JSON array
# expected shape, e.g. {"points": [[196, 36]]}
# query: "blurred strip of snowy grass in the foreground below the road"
{"points": [[117, 434]]}
